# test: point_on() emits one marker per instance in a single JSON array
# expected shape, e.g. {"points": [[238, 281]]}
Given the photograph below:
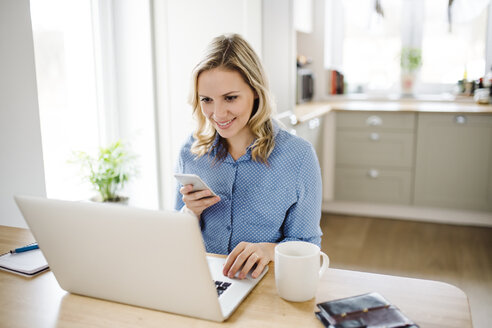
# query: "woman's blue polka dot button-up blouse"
{"points": [[273, 203]]}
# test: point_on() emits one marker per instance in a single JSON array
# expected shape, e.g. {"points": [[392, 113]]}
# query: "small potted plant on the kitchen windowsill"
{"points": [[410, 63]]}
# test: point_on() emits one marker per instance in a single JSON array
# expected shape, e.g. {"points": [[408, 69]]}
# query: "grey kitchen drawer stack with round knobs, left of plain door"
{"points": [[374, 157]]}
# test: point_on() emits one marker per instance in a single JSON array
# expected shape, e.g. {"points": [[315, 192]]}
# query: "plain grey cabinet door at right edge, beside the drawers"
{"points": [[454, 161]]}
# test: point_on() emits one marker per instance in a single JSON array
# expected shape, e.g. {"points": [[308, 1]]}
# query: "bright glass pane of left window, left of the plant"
{"points": [[65, 69]]}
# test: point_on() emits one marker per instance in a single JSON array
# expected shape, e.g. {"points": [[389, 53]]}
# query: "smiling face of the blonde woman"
{"points": [[227, 101]]}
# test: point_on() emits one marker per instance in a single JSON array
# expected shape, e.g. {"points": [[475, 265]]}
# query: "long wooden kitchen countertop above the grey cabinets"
{"points": [[307, 111]]}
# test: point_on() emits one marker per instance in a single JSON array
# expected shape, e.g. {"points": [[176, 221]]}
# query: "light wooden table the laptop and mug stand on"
{"points": [[40, 302]]}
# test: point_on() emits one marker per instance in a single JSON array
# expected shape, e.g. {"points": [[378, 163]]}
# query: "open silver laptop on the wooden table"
{"points": [[152, 259]]}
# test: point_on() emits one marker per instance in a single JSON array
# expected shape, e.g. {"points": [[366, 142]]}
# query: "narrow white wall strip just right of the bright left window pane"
{"points": [[134, 89]]}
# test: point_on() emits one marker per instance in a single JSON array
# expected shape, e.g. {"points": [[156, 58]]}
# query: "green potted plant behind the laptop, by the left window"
{"points": [[109, 171]]}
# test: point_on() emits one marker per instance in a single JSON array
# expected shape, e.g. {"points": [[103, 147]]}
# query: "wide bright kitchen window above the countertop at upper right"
{"points": [[373, 38]]}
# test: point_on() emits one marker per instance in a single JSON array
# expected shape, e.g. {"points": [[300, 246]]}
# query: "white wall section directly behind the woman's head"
{"points": [[182, 30]]}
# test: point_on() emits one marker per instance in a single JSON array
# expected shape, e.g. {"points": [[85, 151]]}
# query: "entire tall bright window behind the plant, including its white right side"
{"points": [[95, 85]]}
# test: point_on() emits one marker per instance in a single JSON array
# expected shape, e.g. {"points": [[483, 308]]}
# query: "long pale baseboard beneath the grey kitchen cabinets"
{"points": [[403, 212]]}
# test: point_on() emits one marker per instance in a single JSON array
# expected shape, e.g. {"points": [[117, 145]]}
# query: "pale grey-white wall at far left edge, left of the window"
{"points": [[21, 157]]}
